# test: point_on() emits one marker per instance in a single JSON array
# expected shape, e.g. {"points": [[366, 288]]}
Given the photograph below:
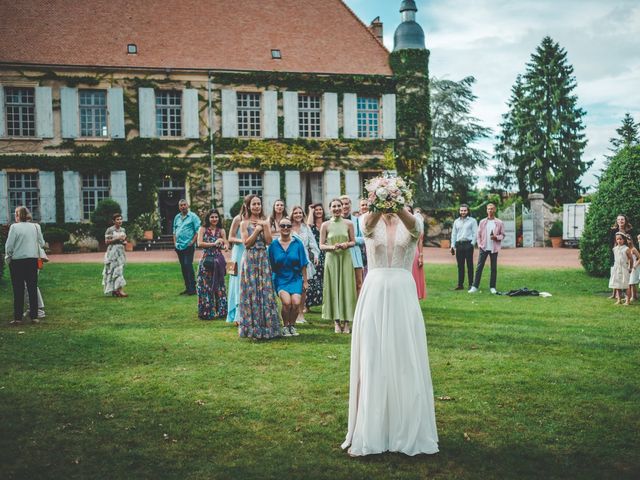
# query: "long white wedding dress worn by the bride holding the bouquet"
{"points": [[391, 404]]}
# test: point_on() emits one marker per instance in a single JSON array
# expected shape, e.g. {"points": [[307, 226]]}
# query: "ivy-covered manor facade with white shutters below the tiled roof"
{"points": [[70, 136]]}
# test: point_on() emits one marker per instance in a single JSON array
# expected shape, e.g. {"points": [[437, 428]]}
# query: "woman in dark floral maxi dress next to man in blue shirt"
{"points": [[212, 294]]}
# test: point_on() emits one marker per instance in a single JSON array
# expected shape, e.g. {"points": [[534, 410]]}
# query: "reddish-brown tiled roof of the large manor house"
{"points": [[322, 36]]}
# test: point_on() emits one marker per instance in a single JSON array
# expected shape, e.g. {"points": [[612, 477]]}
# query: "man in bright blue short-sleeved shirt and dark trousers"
{"points": [[185, 234]]}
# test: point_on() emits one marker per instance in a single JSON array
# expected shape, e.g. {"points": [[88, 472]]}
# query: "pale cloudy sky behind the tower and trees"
{"points": [[494, 39]]}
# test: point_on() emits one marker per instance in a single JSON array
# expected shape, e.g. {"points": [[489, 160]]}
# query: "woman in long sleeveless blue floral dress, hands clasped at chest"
{"points": [[257, 313]]}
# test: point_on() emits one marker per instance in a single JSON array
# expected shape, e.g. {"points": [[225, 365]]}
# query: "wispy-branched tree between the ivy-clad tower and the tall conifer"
{"points": [[454, 159]]}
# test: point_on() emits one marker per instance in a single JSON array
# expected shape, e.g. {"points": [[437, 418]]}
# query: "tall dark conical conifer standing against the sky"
{"points": [[542, 138]]}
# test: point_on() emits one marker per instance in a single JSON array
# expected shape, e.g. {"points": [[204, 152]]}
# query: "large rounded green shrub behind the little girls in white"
{"points": [[618, 193]]}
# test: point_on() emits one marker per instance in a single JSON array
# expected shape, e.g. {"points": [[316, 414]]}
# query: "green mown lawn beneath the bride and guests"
{"points": [[139, 388]]}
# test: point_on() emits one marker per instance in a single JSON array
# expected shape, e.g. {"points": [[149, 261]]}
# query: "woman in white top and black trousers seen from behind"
{"points": [[22, 251]]}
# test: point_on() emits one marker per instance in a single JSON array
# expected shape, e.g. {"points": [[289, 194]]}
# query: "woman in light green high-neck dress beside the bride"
{"points": [[339, 288]]}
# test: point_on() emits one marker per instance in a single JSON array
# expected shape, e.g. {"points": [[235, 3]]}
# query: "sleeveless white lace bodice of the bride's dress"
{"points": [[386, 252]]}
